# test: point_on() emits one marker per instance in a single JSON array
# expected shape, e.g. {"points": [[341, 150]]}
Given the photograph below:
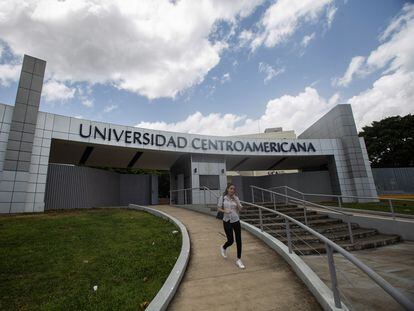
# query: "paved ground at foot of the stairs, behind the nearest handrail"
{"points": [[395, 263]]}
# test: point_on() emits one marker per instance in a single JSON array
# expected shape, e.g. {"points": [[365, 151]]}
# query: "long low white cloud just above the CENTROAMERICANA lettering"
{"points": [[290, 112]]}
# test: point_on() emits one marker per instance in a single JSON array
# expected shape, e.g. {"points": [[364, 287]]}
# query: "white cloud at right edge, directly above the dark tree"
{"points": [[393, 92]]}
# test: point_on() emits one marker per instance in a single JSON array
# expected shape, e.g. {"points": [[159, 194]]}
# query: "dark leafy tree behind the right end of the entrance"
{"points": [[390, 142]]}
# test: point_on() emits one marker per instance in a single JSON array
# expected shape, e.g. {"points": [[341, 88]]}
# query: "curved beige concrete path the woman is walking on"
{"points": [[214, 283]]}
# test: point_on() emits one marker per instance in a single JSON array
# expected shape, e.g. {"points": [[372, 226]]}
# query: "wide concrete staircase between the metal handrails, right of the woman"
{"points": [[303, 243]]}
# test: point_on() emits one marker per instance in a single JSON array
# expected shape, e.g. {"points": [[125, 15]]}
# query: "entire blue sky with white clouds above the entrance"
{"points": [[218, 67]]}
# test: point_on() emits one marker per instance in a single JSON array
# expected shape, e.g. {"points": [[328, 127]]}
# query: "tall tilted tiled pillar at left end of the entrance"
{"points": [[15, 176]]}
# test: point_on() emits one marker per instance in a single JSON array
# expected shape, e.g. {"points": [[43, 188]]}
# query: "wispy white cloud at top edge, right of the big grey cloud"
{"points": [[283, 18]]}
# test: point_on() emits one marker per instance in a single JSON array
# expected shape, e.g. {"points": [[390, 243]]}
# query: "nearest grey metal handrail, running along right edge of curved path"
{"points": [[332, 246]]}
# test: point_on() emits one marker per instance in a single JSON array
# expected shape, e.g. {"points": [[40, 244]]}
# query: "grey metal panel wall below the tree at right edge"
{"points": [[399, 180]]}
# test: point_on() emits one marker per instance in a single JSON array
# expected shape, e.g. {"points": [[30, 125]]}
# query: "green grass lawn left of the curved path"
{"points": [[52, 261]]}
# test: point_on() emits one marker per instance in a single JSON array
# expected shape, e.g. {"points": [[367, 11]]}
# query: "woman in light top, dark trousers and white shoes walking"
{"points": [[230, 205]]}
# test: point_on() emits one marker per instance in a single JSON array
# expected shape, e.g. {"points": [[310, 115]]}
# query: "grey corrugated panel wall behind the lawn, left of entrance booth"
{"points": [[83, 187]]}
